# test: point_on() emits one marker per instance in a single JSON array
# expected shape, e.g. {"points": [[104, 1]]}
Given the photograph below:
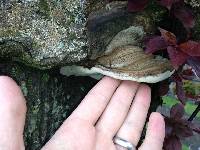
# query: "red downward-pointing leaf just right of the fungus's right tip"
{"points": [[177, 57]]}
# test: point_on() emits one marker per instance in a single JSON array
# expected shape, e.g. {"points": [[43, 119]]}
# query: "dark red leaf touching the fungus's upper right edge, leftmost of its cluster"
{"points": [[155, 44]]}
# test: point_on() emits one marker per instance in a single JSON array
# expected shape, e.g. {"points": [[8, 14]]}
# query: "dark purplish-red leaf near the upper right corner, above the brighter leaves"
{"points": [[185, 15]]}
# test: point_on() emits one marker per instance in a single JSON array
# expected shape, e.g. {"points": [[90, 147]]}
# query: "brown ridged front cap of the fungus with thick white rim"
{"points": [[131, 63]]}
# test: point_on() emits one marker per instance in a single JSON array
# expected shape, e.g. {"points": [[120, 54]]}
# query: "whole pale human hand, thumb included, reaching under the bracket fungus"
{"points": [[111, 108]]}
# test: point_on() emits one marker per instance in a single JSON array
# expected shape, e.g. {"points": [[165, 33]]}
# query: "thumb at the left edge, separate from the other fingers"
{"points": [[12, 114]]}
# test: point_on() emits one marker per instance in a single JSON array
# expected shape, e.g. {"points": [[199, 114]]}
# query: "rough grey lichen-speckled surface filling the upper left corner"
{"points": [[42, 32]]}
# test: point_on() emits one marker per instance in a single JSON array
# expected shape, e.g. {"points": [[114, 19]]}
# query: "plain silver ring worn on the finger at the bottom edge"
{"points": [[126, 144]]}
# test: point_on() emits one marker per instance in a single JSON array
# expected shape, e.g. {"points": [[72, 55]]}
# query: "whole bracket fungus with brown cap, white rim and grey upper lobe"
{"points": [[126, 62]]}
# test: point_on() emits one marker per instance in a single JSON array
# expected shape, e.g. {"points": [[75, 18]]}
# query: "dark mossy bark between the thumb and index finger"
{"points": [[50, 99]]}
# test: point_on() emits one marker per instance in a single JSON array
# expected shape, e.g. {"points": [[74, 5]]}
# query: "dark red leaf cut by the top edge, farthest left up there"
{"points": [[136, 5]]}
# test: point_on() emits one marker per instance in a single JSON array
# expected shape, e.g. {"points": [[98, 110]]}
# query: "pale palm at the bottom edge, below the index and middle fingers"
{"points": [[85, 137]]}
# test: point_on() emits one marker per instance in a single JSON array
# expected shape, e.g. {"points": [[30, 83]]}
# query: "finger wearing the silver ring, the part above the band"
{"points": [[133, 125]]}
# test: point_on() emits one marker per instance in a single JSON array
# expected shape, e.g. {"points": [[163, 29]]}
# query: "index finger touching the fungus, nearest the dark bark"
{"points": [[96, 100]]}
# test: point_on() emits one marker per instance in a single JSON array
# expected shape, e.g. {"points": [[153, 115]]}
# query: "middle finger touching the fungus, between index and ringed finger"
{"points": [[116, 111]]}
